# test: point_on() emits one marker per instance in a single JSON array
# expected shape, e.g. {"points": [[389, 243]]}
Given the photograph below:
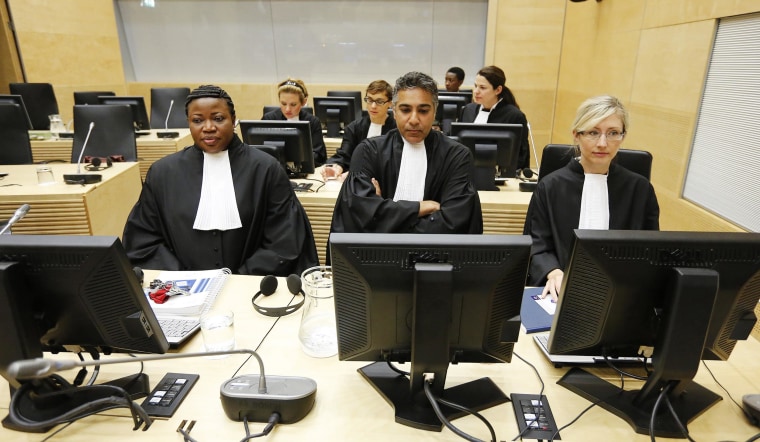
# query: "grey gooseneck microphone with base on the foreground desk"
{"points": [[245, 396]]}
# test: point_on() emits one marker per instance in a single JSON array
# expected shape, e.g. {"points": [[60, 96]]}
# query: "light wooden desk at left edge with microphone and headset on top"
{"points": [[70, 209]]}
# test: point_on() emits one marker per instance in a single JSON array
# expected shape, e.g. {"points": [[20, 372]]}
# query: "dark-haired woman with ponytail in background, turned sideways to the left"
{"points": [[493, 102]]}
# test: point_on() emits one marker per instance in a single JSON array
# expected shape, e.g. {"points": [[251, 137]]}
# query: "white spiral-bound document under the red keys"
{"points": [[199, 288]]}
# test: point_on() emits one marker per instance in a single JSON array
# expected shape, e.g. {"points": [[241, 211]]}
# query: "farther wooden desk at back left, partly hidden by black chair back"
{"points": [[149, 148]]}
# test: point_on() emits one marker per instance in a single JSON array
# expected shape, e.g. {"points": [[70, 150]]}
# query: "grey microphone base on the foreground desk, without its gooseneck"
{"points": [[290, 396]]}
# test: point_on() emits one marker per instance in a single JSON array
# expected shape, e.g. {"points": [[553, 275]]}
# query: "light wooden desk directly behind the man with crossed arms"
{"points": [[503, 211]]}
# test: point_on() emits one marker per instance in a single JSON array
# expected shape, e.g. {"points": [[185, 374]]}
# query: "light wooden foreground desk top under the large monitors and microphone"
{"points": [[348, 408]]}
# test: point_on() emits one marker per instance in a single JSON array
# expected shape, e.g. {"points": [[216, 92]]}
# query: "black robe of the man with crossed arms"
{"points": [[359, 209]]}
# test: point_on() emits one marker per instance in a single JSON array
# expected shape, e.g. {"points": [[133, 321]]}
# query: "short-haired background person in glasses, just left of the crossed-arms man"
{"points": [[378, 121]]}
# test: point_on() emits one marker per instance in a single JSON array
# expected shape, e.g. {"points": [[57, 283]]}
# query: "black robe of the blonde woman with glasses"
{"points": [[555, 210]]}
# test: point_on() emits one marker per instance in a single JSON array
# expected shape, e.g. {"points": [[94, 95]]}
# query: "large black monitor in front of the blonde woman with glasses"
{"points": [[690, 295]]}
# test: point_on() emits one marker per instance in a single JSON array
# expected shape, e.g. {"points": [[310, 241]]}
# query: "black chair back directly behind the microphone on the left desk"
{"points": [[112, 134]]}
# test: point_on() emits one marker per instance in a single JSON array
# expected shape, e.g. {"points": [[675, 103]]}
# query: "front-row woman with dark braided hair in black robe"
{"points": [[218, 203]]}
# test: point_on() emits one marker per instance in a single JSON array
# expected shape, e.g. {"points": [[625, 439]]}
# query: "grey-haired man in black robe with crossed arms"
{"points": [[413, 179]]}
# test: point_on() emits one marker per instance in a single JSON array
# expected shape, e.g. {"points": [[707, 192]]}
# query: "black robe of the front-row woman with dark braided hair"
{"points": [[275, 239]]}
